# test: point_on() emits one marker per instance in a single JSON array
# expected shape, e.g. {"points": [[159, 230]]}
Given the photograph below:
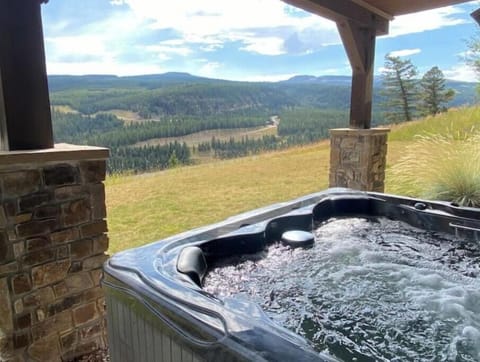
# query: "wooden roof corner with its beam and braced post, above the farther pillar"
{"points": [[359, 23]]}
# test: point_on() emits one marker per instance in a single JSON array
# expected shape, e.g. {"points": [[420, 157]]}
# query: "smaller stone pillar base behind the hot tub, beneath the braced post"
{"points": [[358, 158]]}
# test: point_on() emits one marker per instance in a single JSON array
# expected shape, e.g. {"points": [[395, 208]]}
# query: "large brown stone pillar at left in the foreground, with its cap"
{"points": [[52, 245]]}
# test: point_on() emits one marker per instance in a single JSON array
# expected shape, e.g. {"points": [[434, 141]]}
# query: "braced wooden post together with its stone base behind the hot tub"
{"points": [[358, 154]]}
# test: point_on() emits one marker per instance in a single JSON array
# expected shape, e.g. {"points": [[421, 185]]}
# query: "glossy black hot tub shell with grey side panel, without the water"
{"points": [[157, 310]]}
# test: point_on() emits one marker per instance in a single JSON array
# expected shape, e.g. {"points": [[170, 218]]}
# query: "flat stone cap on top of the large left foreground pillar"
{"points": [[59, 153]]}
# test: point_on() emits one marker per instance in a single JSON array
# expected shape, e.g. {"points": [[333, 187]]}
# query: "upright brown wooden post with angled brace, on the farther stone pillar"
{"points": [[359, 43]]}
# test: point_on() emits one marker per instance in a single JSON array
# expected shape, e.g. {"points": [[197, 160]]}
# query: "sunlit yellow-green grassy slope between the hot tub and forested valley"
{"points": [[149, 207]]}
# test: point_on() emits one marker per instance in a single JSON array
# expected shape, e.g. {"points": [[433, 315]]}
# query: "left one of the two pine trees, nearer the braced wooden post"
{"points": [[400, 89]]}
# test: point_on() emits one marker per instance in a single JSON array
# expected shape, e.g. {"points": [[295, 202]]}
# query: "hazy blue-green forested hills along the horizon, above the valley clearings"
{"points": [[183, 94]]}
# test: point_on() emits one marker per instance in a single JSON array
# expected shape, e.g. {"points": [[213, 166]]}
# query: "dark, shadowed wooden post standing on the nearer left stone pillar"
{"points": [[25, 109]]}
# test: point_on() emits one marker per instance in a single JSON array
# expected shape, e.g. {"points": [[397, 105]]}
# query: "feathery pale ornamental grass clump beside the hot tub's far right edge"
{"points": [[440, 167]]}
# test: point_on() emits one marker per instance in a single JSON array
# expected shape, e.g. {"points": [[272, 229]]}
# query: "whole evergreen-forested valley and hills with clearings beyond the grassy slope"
{"points": [[258, 117]]}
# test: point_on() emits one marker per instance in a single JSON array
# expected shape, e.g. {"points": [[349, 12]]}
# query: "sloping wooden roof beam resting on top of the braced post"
{"points": [[342, 10]]}
